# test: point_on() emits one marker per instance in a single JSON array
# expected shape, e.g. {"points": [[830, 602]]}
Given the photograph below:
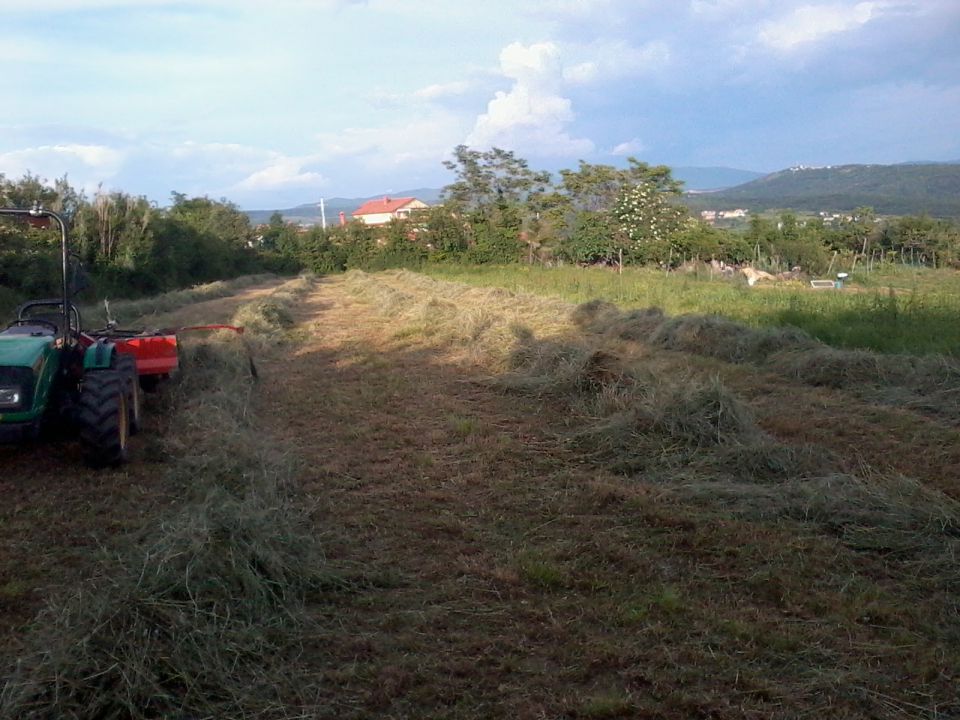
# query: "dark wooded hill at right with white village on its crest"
{"points": [[907, 189]]}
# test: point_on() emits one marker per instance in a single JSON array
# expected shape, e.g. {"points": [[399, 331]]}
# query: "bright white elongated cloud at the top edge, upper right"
{"points": [[809, 23]]}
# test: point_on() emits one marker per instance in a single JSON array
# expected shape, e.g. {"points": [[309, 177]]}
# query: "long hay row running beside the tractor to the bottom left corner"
{"points": [[200, 617]]}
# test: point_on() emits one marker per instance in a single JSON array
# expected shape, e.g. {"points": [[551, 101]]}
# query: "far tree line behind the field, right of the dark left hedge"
{"points": [[499, 210]]}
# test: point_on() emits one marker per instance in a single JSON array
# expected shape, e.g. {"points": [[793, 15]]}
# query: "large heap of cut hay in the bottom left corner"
{"points": [[191, 624]]}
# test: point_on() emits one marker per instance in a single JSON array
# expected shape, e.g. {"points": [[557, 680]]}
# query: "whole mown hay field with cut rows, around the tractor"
{"points": [[450, 501]]}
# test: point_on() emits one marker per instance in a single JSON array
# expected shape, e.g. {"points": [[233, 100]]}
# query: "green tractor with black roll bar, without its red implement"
{"points": [[53, 375]]}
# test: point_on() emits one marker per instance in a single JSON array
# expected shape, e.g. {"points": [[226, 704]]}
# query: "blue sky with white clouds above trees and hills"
{"points": [[274, 103]]}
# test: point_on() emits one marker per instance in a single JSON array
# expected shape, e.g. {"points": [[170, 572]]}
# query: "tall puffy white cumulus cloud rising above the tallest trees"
{"points": [[532, 116]]}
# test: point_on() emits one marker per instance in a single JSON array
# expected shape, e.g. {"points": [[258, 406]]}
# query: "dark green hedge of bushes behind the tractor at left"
{"points": [[128, 245]]}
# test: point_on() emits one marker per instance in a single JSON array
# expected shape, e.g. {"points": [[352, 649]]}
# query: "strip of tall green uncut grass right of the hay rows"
{"points": [[896, 311]]}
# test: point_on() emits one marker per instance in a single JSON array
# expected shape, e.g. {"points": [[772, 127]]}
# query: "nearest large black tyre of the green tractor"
{"points": [[104, 418]]}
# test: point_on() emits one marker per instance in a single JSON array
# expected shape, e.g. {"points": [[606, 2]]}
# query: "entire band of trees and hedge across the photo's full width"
{"points": [[497, 210]]}
